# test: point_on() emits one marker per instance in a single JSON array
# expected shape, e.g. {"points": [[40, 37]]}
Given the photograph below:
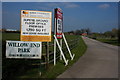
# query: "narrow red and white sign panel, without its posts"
{"points": [[59, 22]]}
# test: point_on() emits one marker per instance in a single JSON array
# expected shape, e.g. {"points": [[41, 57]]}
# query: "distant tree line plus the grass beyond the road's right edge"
{"points": [[110, 37]]}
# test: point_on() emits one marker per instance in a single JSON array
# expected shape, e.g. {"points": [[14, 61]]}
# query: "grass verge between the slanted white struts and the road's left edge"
{"points": [[60, 68]]}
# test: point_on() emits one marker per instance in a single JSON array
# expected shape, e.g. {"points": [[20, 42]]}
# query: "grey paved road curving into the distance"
{"points": [[99, 61]]}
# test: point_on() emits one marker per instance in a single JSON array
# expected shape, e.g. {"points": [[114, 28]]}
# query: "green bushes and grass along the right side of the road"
{"points": [[110, 37]]}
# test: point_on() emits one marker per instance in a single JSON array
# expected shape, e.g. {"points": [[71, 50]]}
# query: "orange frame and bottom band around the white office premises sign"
{"points": [[36, 38]]}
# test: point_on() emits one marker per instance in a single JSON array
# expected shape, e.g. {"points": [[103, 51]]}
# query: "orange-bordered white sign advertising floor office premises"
{"points": [[36, 25]]}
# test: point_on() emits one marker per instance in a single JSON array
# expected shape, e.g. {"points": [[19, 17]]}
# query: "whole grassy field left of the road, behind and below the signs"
{"points": [[30, 68]]}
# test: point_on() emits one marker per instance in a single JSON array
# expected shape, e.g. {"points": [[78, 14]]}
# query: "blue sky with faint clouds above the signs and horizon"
{"points": [[97, 16]]}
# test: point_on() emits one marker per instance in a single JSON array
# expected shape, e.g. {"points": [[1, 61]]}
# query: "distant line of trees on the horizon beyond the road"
{"points": [[114, 33]]}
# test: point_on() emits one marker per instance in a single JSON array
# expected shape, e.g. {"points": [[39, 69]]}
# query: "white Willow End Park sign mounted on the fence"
{"points": [[20, 49]]}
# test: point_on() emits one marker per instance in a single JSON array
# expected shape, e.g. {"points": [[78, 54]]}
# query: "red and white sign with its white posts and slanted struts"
{"points": [[59, 14]]}
